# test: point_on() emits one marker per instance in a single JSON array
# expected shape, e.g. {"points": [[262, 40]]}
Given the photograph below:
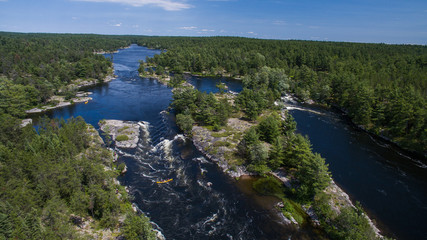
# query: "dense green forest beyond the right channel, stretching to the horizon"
{"points": [[382, 87]]}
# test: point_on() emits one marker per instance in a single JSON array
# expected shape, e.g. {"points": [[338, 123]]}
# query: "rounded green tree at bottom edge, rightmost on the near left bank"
{"points": [[138, 227]]}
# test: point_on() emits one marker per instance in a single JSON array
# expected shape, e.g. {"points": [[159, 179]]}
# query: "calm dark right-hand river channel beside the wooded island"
{"points": [[389, 185]]}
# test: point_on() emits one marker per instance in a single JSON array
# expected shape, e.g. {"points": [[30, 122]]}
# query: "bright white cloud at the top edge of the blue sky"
{"points": [[168, 5]]}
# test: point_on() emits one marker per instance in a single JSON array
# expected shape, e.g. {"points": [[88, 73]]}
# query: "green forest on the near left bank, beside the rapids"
{"points": [[53, 178]]}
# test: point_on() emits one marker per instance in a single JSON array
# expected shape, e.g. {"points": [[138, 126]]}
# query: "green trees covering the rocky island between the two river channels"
{"points": [[272, 144]]}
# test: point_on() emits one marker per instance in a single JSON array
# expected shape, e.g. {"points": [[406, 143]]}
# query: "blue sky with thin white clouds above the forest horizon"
{"points": [[385, 21]]}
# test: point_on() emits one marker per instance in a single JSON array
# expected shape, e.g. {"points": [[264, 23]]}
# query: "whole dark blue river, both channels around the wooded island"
{"points": [[203, 203]]}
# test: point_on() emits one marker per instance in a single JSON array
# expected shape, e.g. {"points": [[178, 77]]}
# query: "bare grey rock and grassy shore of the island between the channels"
{"points": [[221, 147]]}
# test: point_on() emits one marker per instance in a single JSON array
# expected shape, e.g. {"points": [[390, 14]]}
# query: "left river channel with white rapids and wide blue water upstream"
{"points": [[187, 207]]}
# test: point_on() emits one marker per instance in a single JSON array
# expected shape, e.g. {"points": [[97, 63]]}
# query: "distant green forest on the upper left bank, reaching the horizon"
{"points": [[35, 66]]}
